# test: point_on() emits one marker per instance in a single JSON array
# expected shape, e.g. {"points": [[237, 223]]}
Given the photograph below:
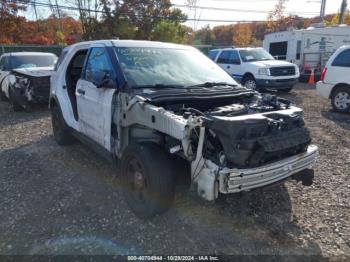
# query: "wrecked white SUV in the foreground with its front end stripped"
{"points": [[145, 104]]}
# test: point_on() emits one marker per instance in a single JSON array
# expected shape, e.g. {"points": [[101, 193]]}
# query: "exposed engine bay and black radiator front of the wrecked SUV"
{"points": [[236, 141]]}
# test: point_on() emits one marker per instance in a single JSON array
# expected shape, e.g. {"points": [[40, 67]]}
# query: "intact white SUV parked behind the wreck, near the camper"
{"points": [[255, 68]]}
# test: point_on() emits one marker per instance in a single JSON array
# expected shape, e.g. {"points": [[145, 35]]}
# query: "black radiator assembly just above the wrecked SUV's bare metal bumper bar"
{"points": [[255, 140]]}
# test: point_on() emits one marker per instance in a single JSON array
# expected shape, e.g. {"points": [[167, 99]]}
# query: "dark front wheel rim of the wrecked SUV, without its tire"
{"points": [[137, 184]]}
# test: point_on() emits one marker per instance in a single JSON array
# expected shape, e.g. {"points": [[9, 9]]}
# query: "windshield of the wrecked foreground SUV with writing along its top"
{"points": [[145, 66]]}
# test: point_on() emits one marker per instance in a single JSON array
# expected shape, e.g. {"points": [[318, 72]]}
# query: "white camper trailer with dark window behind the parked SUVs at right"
{"points": [[309, 48]]}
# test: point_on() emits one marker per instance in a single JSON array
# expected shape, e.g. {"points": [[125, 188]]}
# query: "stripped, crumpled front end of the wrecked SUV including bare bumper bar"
{"points": [[232, 145]]}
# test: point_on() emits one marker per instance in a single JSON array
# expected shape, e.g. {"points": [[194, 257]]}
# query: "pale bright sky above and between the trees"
{"points": [[246, 10]]}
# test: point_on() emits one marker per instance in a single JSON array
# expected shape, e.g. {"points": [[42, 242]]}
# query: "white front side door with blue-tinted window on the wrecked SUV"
{"points": [[94, 99]]}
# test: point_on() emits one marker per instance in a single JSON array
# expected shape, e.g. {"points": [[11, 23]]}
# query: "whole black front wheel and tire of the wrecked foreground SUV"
{"points": [[148, 179]]}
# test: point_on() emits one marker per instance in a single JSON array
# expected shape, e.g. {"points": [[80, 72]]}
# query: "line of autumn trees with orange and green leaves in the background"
{"points": [[135, 19]]}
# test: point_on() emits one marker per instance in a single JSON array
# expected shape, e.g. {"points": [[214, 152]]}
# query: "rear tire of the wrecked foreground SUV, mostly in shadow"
{"points": [[60, 129]]}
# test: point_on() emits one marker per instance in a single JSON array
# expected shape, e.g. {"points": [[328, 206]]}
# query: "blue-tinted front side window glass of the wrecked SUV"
{"points": [[97, 64]]}
